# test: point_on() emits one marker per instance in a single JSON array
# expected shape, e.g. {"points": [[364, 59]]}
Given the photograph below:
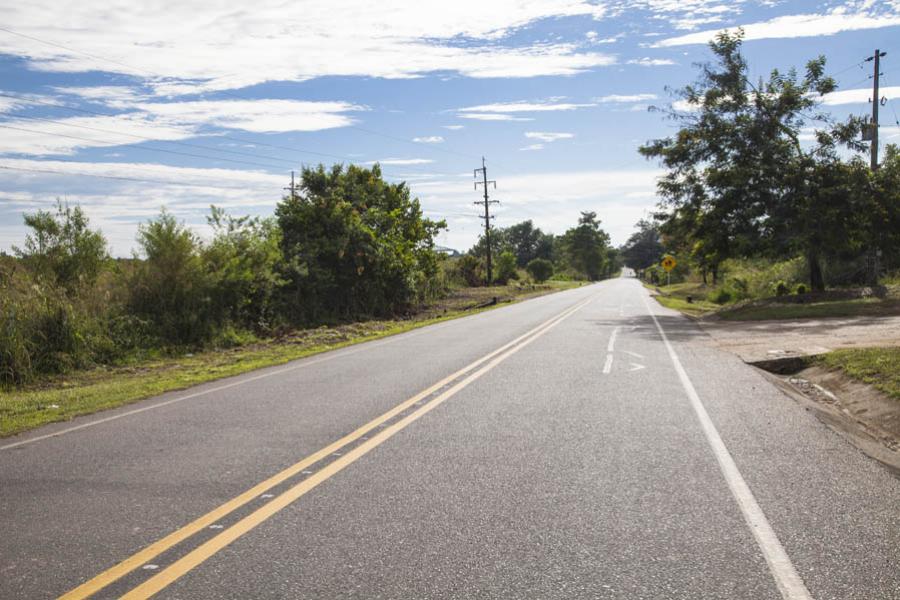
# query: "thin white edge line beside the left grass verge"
{"points": [[291, 367]]}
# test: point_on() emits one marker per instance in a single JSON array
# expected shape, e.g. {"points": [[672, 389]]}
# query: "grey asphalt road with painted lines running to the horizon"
{"points": [[585, 444]]}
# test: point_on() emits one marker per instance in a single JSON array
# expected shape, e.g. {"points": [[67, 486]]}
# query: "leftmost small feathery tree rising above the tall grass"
{"points": [[63, 248]]}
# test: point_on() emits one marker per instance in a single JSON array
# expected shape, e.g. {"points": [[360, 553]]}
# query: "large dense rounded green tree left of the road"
{"points": [[355, 245]]}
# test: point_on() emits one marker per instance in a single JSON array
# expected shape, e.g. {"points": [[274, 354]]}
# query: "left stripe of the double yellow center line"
{"points": [[143, 556]]}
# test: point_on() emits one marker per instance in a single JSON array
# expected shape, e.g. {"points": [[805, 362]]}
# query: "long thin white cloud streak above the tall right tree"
{"points": [[794, 26]]}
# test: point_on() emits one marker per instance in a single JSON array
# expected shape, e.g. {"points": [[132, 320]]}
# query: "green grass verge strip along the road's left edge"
{"points": [[84, 392]]}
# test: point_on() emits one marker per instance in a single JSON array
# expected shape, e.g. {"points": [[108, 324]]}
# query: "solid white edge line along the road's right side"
{"points": [[786, 577]]}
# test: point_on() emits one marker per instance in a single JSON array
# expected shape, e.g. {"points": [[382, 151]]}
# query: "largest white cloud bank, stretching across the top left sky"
{"points": [[185, 47]]}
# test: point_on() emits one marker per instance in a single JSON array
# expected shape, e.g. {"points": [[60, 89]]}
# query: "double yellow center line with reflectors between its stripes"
{"points": [[148, 588]]}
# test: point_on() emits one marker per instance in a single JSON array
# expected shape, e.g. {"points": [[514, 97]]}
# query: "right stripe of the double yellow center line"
{"points": [[200, 554]]}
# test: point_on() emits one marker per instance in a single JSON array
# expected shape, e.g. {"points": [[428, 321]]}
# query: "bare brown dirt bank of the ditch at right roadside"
{"points": [[866, 417]]}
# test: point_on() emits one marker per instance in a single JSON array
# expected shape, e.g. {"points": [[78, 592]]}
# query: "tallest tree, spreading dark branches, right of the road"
{"points": [[739, 181]]}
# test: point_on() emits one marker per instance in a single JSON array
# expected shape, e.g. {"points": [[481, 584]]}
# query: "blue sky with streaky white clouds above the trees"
{"points": [[127, 107]]}
